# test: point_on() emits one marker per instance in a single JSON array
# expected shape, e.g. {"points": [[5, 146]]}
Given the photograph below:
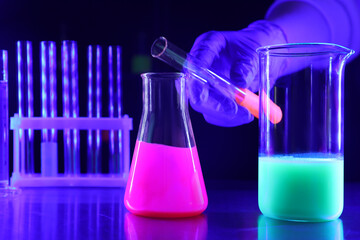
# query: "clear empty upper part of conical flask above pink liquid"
{"points": [[165, 118]]}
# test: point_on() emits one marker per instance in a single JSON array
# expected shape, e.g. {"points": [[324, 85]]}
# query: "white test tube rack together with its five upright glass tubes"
{"points": [[24, 123]]}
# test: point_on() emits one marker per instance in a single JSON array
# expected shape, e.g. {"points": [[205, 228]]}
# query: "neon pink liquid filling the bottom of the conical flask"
{"points": [[165, 181]]}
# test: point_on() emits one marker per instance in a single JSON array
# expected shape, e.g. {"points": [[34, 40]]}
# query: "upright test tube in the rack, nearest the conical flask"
{"points": [[116, 165]]}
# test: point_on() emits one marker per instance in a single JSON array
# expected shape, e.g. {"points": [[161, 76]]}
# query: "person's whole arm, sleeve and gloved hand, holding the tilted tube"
{"points": [[233, 53]]}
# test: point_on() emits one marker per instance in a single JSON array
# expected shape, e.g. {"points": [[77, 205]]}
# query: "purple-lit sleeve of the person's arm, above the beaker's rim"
{"points": [[328, 21]]}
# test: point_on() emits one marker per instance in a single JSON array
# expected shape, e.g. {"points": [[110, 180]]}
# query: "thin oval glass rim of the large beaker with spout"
{"points": [[304, 49]]}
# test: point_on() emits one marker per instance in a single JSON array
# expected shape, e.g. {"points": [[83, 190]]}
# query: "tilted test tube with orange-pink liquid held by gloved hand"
{"points": [[182, 61]]}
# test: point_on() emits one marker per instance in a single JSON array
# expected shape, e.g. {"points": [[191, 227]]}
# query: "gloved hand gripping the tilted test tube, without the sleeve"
{"points": [[233, 55]]}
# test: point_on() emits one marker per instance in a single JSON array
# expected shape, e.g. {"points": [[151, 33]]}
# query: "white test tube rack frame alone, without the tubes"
{"points": [[21, 179]]}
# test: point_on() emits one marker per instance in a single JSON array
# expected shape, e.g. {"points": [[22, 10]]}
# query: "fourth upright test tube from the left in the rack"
{"points": [[94, 107]]}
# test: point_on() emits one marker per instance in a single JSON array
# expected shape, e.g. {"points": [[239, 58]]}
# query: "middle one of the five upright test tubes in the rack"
{"points": [[69, 58]]}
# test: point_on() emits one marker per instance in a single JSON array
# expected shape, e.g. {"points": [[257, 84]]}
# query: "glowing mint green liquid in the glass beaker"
{"points": [[301, 189]]}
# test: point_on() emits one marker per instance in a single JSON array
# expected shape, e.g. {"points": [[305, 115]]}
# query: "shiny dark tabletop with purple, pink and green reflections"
{"points": [[99, 213]]}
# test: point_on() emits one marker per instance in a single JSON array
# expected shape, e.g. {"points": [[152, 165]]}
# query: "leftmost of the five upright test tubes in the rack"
{"points": [[25, 103]]}
